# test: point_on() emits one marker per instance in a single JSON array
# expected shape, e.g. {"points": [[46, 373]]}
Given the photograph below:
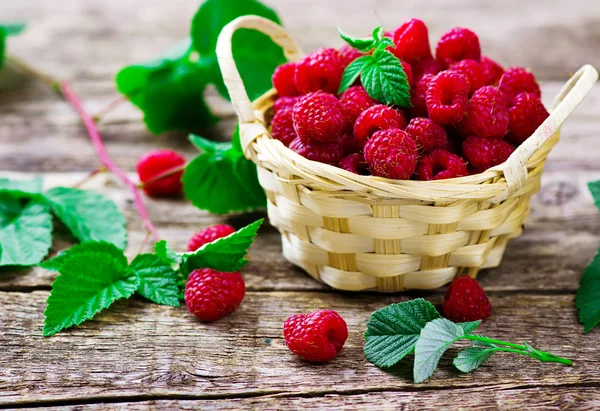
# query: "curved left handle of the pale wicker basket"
{"points": [[250, 127]]}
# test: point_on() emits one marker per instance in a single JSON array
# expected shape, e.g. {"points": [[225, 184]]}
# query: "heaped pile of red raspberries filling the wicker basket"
{"points": [[468, 113]]}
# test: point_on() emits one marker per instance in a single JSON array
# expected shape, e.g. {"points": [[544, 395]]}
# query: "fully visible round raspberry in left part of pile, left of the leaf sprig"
{"points": [[319, 117]]}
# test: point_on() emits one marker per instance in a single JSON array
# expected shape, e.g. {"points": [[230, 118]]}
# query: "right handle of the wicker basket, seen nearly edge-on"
{"points": [[565, 102]]}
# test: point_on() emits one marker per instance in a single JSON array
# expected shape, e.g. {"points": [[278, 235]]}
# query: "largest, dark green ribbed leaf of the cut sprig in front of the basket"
{"points": [[393, 331]]}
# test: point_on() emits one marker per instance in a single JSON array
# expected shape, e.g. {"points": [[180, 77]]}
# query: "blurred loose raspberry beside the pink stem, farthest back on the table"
{"points": [[155, 163]]}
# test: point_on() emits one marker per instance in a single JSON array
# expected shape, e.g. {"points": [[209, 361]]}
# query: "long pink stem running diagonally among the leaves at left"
{"points": [[105, 159]]}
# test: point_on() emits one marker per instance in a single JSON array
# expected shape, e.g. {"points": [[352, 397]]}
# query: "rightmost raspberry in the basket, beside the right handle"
{"points": [[525, 116]]}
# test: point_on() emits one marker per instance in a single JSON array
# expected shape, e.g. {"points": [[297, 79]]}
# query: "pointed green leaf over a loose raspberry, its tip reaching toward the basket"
{"points": [[226, 254]]}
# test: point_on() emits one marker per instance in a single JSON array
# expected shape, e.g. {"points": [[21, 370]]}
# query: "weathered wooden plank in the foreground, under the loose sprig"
{"points": [[140, 349]]}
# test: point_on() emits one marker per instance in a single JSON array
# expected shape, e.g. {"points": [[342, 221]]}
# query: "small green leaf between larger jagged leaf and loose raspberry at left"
{"points": [[158, 281]]}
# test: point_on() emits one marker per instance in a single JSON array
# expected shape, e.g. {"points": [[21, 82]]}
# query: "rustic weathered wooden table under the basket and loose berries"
{"points": [[140, 355]]}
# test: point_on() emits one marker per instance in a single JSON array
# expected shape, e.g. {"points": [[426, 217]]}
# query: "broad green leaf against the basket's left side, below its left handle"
{"points": [[221, 180]]}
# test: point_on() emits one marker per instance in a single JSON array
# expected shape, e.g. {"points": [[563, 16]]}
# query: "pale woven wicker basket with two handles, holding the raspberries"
{"points": [[359, 233]]}
